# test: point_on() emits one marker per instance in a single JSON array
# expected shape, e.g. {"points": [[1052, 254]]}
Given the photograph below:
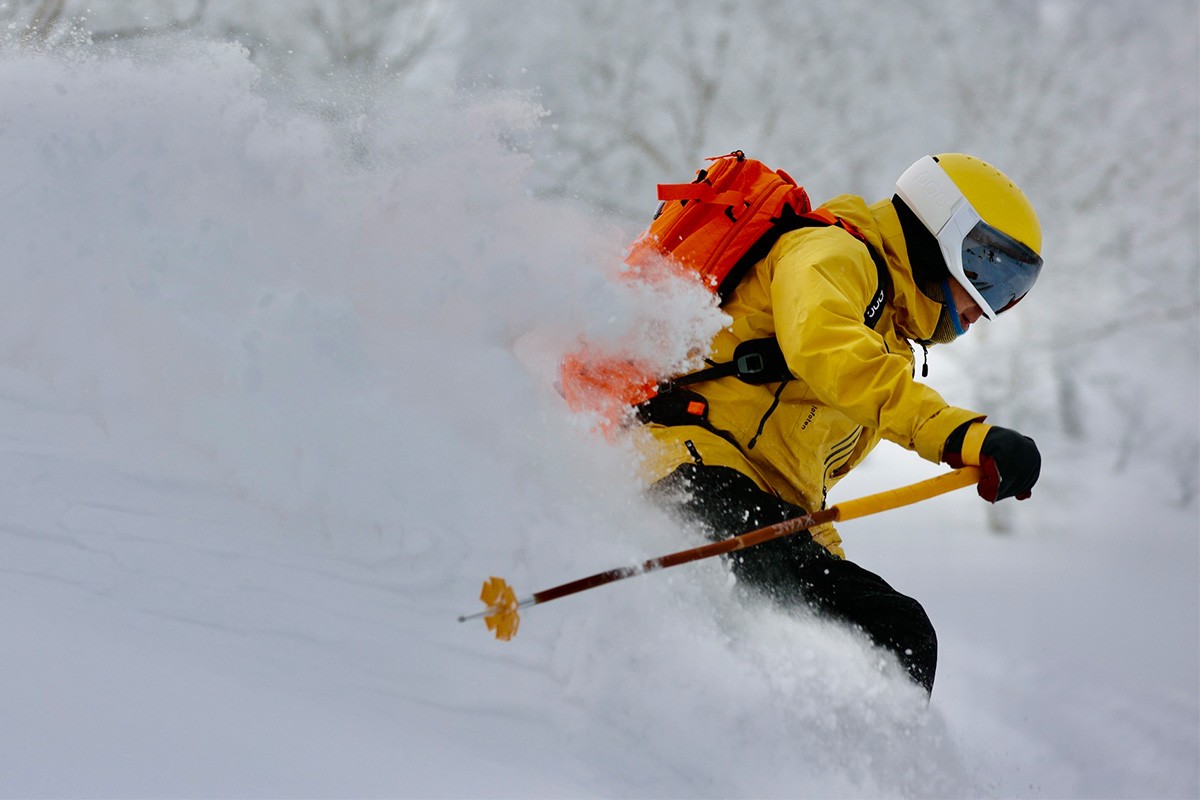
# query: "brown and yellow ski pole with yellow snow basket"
{"points": [[502, 603]]}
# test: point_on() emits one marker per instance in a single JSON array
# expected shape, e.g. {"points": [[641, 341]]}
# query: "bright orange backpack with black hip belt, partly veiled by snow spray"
{"points": [[715, 228]]}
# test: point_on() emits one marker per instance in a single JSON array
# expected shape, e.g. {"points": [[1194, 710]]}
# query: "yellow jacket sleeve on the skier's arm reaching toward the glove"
{"points": [[820, 288]]}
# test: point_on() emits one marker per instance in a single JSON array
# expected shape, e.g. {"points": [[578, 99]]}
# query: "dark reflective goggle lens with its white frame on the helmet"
{"points": [[995, 269]]}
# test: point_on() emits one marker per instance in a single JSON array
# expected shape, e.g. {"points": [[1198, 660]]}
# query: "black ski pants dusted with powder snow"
{"points": [[796, 569]]}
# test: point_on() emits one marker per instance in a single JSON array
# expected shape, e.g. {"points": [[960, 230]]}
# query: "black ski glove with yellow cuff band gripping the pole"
{"points": [[1011, 462]]}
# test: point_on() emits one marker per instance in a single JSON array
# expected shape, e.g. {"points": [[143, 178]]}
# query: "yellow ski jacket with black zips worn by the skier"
{"points": [[854, 384]]}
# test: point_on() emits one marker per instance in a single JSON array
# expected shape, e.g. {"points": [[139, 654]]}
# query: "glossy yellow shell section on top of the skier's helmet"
{"points": [[998, 200]]}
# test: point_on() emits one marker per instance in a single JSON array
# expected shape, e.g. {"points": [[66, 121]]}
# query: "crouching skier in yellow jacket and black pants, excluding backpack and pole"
{"points": [[958, 242]]}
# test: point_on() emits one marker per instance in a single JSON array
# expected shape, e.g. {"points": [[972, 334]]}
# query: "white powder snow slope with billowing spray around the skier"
{"points": [[271, 417]]}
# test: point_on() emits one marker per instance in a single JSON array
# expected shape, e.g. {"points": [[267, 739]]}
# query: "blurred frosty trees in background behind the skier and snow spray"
{"points": [[1093, 106]]}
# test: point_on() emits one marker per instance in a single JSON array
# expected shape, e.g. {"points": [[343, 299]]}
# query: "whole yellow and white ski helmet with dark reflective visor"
{"points": [[985, 225]]}
